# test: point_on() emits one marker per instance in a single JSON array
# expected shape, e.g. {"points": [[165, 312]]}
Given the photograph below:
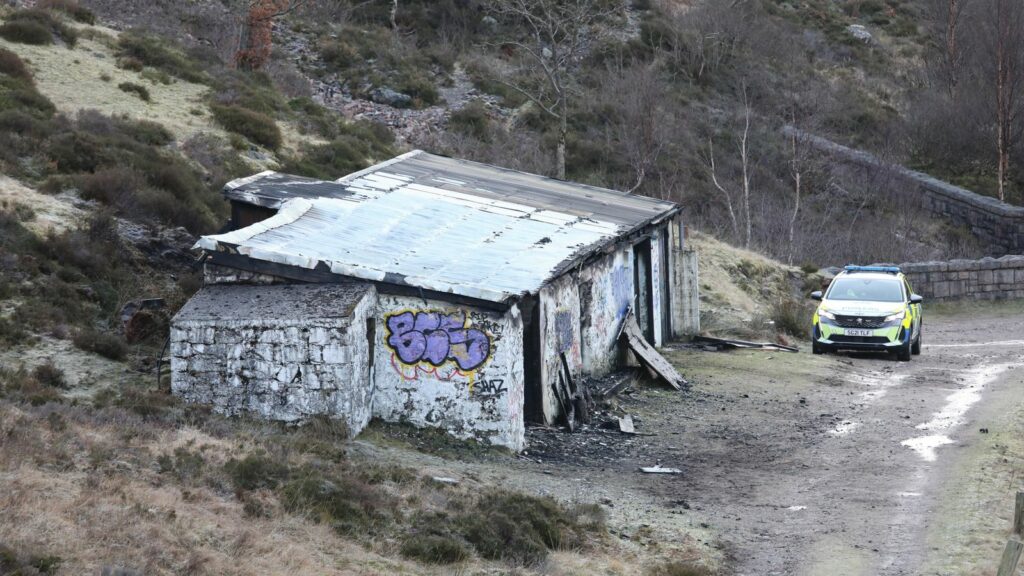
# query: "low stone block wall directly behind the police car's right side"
{"points": [[989, 279]]}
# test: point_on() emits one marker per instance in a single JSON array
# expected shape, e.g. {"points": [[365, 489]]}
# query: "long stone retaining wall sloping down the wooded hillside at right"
{"points": [[998, 226]]}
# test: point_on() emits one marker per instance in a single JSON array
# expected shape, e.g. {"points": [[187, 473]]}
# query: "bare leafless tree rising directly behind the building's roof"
{"points": [[558, 33]]}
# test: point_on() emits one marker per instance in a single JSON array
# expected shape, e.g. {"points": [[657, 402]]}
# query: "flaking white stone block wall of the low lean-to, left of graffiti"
{"points": [[278, 368]]}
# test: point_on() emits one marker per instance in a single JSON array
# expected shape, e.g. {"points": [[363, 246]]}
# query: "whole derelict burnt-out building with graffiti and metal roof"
{"points": [[424, 290]]}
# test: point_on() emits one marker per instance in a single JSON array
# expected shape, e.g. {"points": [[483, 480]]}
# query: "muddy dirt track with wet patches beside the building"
{"points": [[796, 465]]}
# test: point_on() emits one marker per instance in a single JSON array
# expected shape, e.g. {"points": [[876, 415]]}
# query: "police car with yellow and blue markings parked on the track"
{"points": [[869, 309]]}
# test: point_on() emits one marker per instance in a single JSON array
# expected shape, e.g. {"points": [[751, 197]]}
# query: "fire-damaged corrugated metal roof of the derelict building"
{"points": [[436, 224]]}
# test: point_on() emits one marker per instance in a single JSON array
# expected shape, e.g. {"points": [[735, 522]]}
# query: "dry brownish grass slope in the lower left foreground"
{"points": [[107, 487]]}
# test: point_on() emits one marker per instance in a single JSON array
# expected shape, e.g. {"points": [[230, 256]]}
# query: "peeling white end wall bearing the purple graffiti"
{"points": [[483, 402]]}
